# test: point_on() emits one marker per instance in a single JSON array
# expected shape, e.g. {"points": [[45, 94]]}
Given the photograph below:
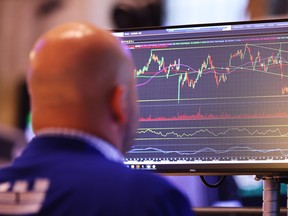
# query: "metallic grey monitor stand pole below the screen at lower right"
{"points": [[271, 194]]}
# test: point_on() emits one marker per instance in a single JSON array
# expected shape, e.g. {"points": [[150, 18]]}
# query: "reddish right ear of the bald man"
{"points": [[118, 104]]}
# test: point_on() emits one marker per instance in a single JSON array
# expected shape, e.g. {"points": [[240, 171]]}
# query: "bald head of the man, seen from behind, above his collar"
{"points": [[81, 77]]}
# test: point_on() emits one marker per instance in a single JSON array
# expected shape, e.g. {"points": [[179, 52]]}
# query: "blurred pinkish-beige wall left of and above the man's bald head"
{"points": [[21, 23]]}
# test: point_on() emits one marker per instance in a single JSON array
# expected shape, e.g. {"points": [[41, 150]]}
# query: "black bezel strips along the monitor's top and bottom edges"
{"points": [[233, 168]]}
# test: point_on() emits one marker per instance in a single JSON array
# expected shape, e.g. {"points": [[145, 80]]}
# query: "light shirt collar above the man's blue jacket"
{"points": [[107, 149]]}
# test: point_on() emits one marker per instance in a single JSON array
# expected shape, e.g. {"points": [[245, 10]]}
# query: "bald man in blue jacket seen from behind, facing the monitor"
{"points": [[84, 115]]}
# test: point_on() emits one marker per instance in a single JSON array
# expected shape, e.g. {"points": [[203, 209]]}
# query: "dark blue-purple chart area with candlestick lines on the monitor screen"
{"points": [[220, 99]]}
